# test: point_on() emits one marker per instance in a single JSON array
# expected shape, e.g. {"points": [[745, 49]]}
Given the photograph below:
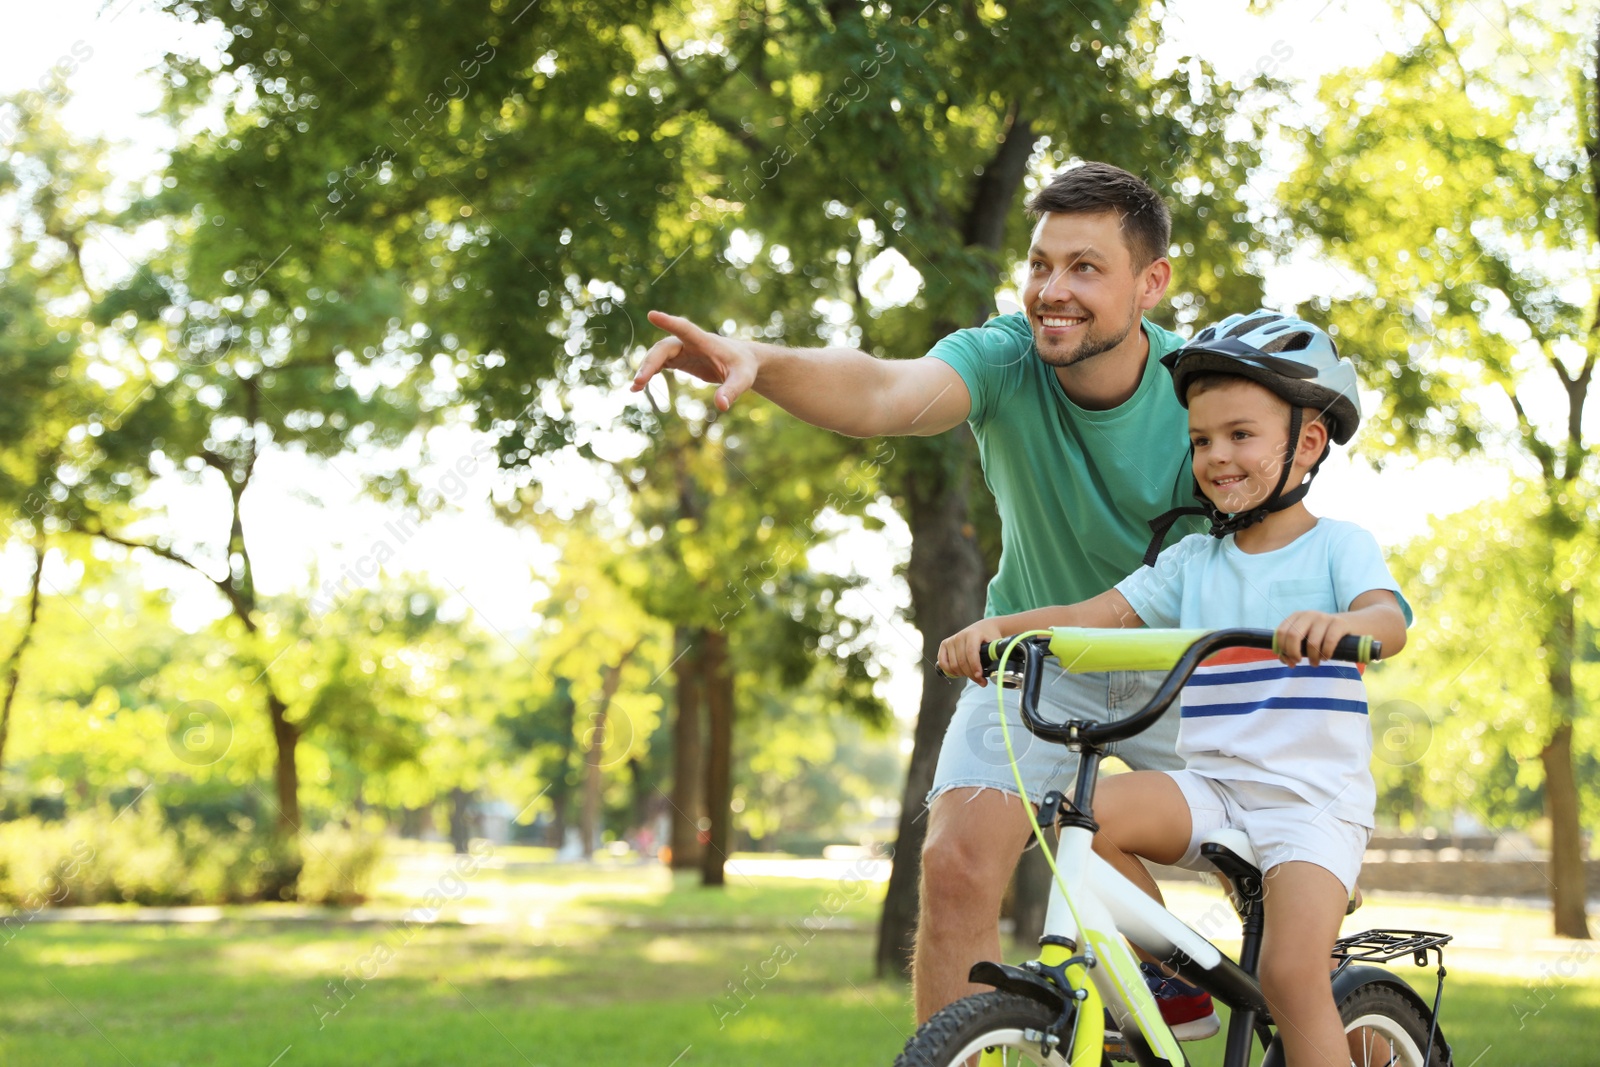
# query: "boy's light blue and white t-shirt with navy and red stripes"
{"points": [[1246, 716]]}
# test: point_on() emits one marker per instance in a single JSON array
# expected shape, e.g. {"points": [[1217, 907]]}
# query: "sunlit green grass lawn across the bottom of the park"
{"points": [[620, 967]]}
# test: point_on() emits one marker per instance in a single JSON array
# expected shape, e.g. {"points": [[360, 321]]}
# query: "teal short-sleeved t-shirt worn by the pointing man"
{"points": [[1076, 487]]}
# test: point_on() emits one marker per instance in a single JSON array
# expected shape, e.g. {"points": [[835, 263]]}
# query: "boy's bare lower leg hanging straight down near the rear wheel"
{"points": [[1305, 906]]}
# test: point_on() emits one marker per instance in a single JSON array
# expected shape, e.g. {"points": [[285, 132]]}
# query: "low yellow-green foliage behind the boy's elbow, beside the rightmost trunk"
{"points": [[1476, 674]]}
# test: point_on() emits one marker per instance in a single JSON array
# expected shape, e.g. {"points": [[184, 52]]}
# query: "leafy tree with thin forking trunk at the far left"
{"points": [[212, 372]]}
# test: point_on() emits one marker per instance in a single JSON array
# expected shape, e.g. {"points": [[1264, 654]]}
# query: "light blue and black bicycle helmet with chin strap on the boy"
{"points": [[1294, 359]]}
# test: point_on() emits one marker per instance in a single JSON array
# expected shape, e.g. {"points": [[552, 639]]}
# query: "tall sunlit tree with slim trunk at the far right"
{"points": [[1457, 183]]}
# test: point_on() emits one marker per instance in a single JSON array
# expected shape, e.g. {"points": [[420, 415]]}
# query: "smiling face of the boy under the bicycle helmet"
{"points": [[1239, 433]]}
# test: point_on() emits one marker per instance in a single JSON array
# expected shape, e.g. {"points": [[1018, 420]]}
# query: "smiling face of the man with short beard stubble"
{"points": [[1084, 294]]}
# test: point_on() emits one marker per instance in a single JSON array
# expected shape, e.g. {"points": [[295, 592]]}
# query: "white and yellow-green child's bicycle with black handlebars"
{"points": [[1052, 1012]]}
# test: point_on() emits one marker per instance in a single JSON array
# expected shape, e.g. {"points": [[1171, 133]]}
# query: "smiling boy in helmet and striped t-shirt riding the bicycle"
{"points": [[1279, 753]]}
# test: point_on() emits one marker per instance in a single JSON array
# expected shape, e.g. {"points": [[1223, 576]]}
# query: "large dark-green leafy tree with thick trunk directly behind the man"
{"points": [[554, 170]]}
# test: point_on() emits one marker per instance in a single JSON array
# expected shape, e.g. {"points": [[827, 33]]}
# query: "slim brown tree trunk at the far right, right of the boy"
{"points": [[1569, 893]]}
